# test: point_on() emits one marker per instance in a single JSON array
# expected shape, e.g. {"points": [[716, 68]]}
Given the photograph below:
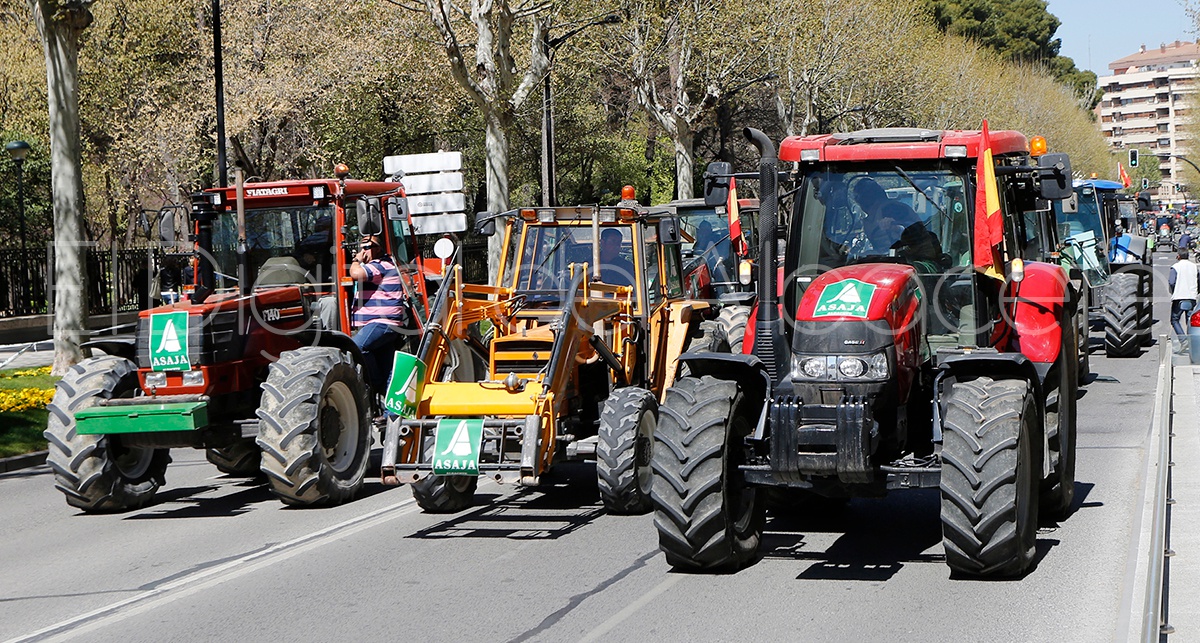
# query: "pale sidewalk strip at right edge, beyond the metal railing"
{"points": [[1184, 570]]}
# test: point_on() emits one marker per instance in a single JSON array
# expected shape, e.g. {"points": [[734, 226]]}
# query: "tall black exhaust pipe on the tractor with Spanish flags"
{"points": [[769, 344]]}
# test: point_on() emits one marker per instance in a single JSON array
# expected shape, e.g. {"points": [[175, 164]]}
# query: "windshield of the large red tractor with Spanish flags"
{"points": [[915, 214]]}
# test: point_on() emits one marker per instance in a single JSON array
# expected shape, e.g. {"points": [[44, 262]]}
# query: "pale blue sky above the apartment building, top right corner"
{"points": [[1096, 33]]}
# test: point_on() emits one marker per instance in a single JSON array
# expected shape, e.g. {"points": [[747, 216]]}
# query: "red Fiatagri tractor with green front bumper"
{"points": [[256, 365]]}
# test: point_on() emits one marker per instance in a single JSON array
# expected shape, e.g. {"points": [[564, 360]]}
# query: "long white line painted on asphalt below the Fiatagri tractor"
{"points": [[209, 578]]}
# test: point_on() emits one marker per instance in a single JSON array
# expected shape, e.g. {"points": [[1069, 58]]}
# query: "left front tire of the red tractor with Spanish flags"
{"points": [[706, 515]]}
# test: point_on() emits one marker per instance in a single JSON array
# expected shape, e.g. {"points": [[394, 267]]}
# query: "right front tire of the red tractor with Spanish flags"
{"points": [[989, 478]]}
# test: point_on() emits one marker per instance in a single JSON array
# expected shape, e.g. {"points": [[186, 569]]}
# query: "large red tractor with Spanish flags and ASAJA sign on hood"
{"points": [[901, 354]]}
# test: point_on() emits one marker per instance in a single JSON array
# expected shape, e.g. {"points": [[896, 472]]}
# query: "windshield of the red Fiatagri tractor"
{"points": [[297, 242]]}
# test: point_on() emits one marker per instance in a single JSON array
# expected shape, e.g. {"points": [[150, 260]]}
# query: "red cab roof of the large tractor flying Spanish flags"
{"points": [[901, 143]]}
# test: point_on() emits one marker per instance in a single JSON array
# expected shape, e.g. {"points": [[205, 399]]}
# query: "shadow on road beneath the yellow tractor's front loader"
{"points": [[565, 503]]}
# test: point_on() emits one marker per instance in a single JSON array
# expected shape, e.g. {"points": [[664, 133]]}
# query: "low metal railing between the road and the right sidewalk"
{"points": [[1154, 617]]}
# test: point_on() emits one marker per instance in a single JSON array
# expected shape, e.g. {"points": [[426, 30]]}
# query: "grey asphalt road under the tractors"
{"points": [[218, 560]]}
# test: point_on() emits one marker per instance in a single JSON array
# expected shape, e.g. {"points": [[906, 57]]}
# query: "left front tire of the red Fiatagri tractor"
{"points": [[97, 473]]}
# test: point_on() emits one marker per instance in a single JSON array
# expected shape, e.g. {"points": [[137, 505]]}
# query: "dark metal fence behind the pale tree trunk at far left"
{"points": [[119, 280]]}
